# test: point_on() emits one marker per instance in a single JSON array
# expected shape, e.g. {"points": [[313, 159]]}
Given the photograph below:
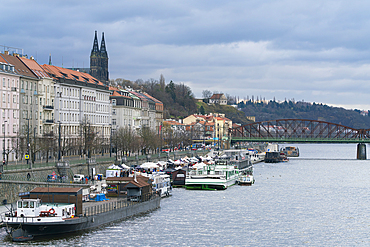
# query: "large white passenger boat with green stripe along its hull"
{"points": [[217, 176]]}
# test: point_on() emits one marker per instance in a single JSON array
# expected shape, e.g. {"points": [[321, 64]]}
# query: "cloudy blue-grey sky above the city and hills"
{"points": [[309, 50]]}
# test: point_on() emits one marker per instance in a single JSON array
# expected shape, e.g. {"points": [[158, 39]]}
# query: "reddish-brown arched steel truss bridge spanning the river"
{"points": [[299, 130]]}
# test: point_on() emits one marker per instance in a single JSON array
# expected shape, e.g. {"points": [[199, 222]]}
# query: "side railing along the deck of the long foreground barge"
{"points": [[117, 204]]}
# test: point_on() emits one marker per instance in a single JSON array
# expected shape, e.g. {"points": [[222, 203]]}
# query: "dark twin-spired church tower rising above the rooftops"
{"points": [[99, 61]]}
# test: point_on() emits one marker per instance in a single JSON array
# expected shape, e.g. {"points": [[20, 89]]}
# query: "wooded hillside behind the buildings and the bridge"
{"points": [[179, 102]]}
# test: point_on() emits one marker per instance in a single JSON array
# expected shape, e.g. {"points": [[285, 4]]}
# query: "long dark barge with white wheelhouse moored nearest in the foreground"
{"points": [[53, 211]]}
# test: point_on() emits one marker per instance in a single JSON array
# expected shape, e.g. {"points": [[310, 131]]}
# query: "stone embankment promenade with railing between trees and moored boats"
{"points": [[20, 177]]}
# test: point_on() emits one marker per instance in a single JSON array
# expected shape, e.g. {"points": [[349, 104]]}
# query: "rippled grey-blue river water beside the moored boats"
{"points": [[318, 199]]}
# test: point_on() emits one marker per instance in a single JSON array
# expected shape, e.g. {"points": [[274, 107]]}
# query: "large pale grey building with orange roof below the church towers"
{"points": [[81, 102]]}
